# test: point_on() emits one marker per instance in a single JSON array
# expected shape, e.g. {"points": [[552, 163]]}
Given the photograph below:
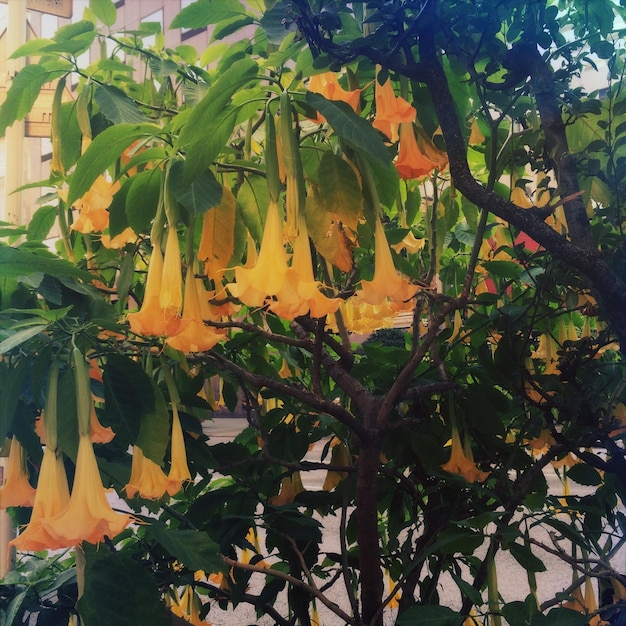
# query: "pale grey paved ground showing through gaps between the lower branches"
{"points": [[513, 583]]}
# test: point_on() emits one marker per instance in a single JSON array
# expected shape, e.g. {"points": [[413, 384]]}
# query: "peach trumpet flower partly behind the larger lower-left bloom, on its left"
{"points": [[51, 499]]}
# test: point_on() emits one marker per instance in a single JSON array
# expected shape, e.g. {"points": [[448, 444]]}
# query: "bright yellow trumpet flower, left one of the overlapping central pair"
{"points": [[267, 277]]}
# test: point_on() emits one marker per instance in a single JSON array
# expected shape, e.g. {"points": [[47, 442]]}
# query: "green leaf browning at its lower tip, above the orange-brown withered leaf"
{"points": [[340, 190]]}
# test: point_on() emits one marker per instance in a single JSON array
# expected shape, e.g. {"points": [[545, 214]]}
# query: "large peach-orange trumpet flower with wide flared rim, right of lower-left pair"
{"points": [[88, 516]]}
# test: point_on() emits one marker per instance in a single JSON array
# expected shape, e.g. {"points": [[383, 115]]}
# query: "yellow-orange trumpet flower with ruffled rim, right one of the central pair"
{"points": [[300, 293]]}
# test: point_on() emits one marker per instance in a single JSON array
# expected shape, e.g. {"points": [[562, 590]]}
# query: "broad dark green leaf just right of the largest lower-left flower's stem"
{"points": [[129, 397]]}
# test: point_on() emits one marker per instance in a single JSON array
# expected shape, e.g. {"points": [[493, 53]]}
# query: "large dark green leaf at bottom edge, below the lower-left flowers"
{"points": [[119, 590]]}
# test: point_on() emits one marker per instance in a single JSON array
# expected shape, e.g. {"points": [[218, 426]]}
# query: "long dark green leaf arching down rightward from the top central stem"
{"points": [[352, 128]]}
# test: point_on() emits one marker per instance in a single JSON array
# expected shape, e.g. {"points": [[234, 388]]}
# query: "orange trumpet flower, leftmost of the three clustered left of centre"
{"points": [[152, 318]]}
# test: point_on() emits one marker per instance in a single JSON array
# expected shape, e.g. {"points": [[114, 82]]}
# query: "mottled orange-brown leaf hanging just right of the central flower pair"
{"points": [[329, 238]]}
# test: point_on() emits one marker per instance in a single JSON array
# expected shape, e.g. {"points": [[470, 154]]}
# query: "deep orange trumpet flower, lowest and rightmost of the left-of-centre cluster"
{"points": [[196, 336]]}
